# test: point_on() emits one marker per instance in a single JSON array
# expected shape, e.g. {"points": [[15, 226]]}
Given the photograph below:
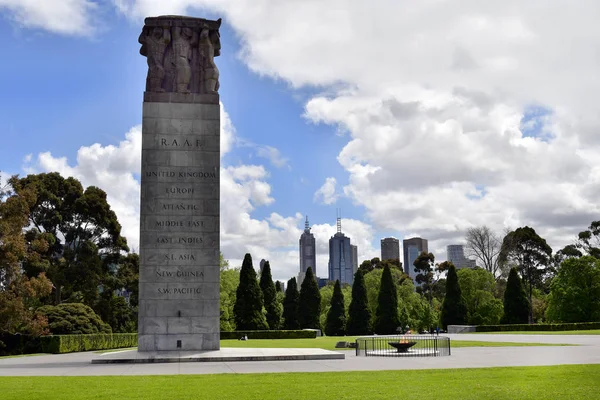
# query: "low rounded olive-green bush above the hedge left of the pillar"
{"points": [[73, 318]]}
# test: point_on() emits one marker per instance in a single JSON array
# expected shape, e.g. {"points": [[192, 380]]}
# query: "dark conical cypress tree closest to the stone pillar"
{"points": [[248, 308]]}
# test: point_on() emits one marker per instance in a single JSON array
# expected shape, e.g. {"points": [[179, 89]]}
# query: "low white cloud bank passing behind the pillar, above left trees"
{"points": [[244, 188]]}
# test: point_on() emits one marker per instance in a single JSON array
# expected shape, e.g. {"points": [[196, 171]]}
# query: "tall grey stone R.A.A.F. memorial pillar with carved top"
{"points": [[179, 217]]}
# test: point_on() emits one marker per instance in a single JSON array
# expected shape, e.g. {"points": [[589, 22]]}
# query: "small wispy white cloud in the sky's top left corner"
{"points": [[67, 17]]}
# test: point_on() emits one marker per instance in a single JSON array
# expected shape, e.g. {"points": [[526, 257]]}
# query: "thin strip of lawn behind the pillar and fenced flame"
{"points": [[328, 343]]}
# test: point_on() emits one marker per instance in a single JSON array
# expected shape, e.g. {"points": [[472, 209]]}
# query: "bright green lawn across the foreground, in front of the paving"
{"points": [[557, 382]]}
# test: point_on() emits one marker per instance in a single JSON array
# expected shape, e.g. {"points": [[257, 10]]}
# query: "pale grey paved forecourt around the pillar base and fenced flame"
{"points": [[585, 350]]}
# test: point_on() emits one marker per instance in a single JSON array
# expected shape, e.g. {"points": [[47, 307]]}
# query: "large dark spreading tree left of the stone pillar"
{"points": [[78, 231]]}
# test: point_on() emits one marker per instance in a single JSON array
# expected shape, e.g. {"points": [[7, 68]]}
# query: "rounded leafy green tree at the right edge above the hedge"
{"points": [[575, 291]]}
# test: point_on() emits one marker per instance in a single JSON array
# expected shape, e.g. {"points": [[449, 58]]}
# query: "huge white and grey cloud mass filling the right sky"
{"points": [[435, 99]]}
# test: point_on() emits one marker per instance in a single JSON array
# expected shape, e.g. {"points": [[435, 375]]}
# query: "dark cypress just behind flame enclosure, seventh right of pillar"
{"points": [[387, 319]]}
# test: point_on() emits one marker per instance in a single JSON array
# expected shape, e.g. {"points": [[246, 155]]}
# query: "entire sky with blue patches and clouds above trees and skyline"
{"points": [[428, 125]]}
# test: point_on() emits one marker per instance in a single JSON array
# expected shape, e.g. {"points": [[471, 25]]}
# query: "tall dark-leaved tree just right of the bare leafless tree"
{"points": [[530, 253]]}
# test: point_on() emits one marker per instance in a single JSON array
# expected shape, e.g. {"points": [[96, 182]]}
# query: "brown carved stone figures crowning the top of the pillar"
{"points": [[180, 53]]}
